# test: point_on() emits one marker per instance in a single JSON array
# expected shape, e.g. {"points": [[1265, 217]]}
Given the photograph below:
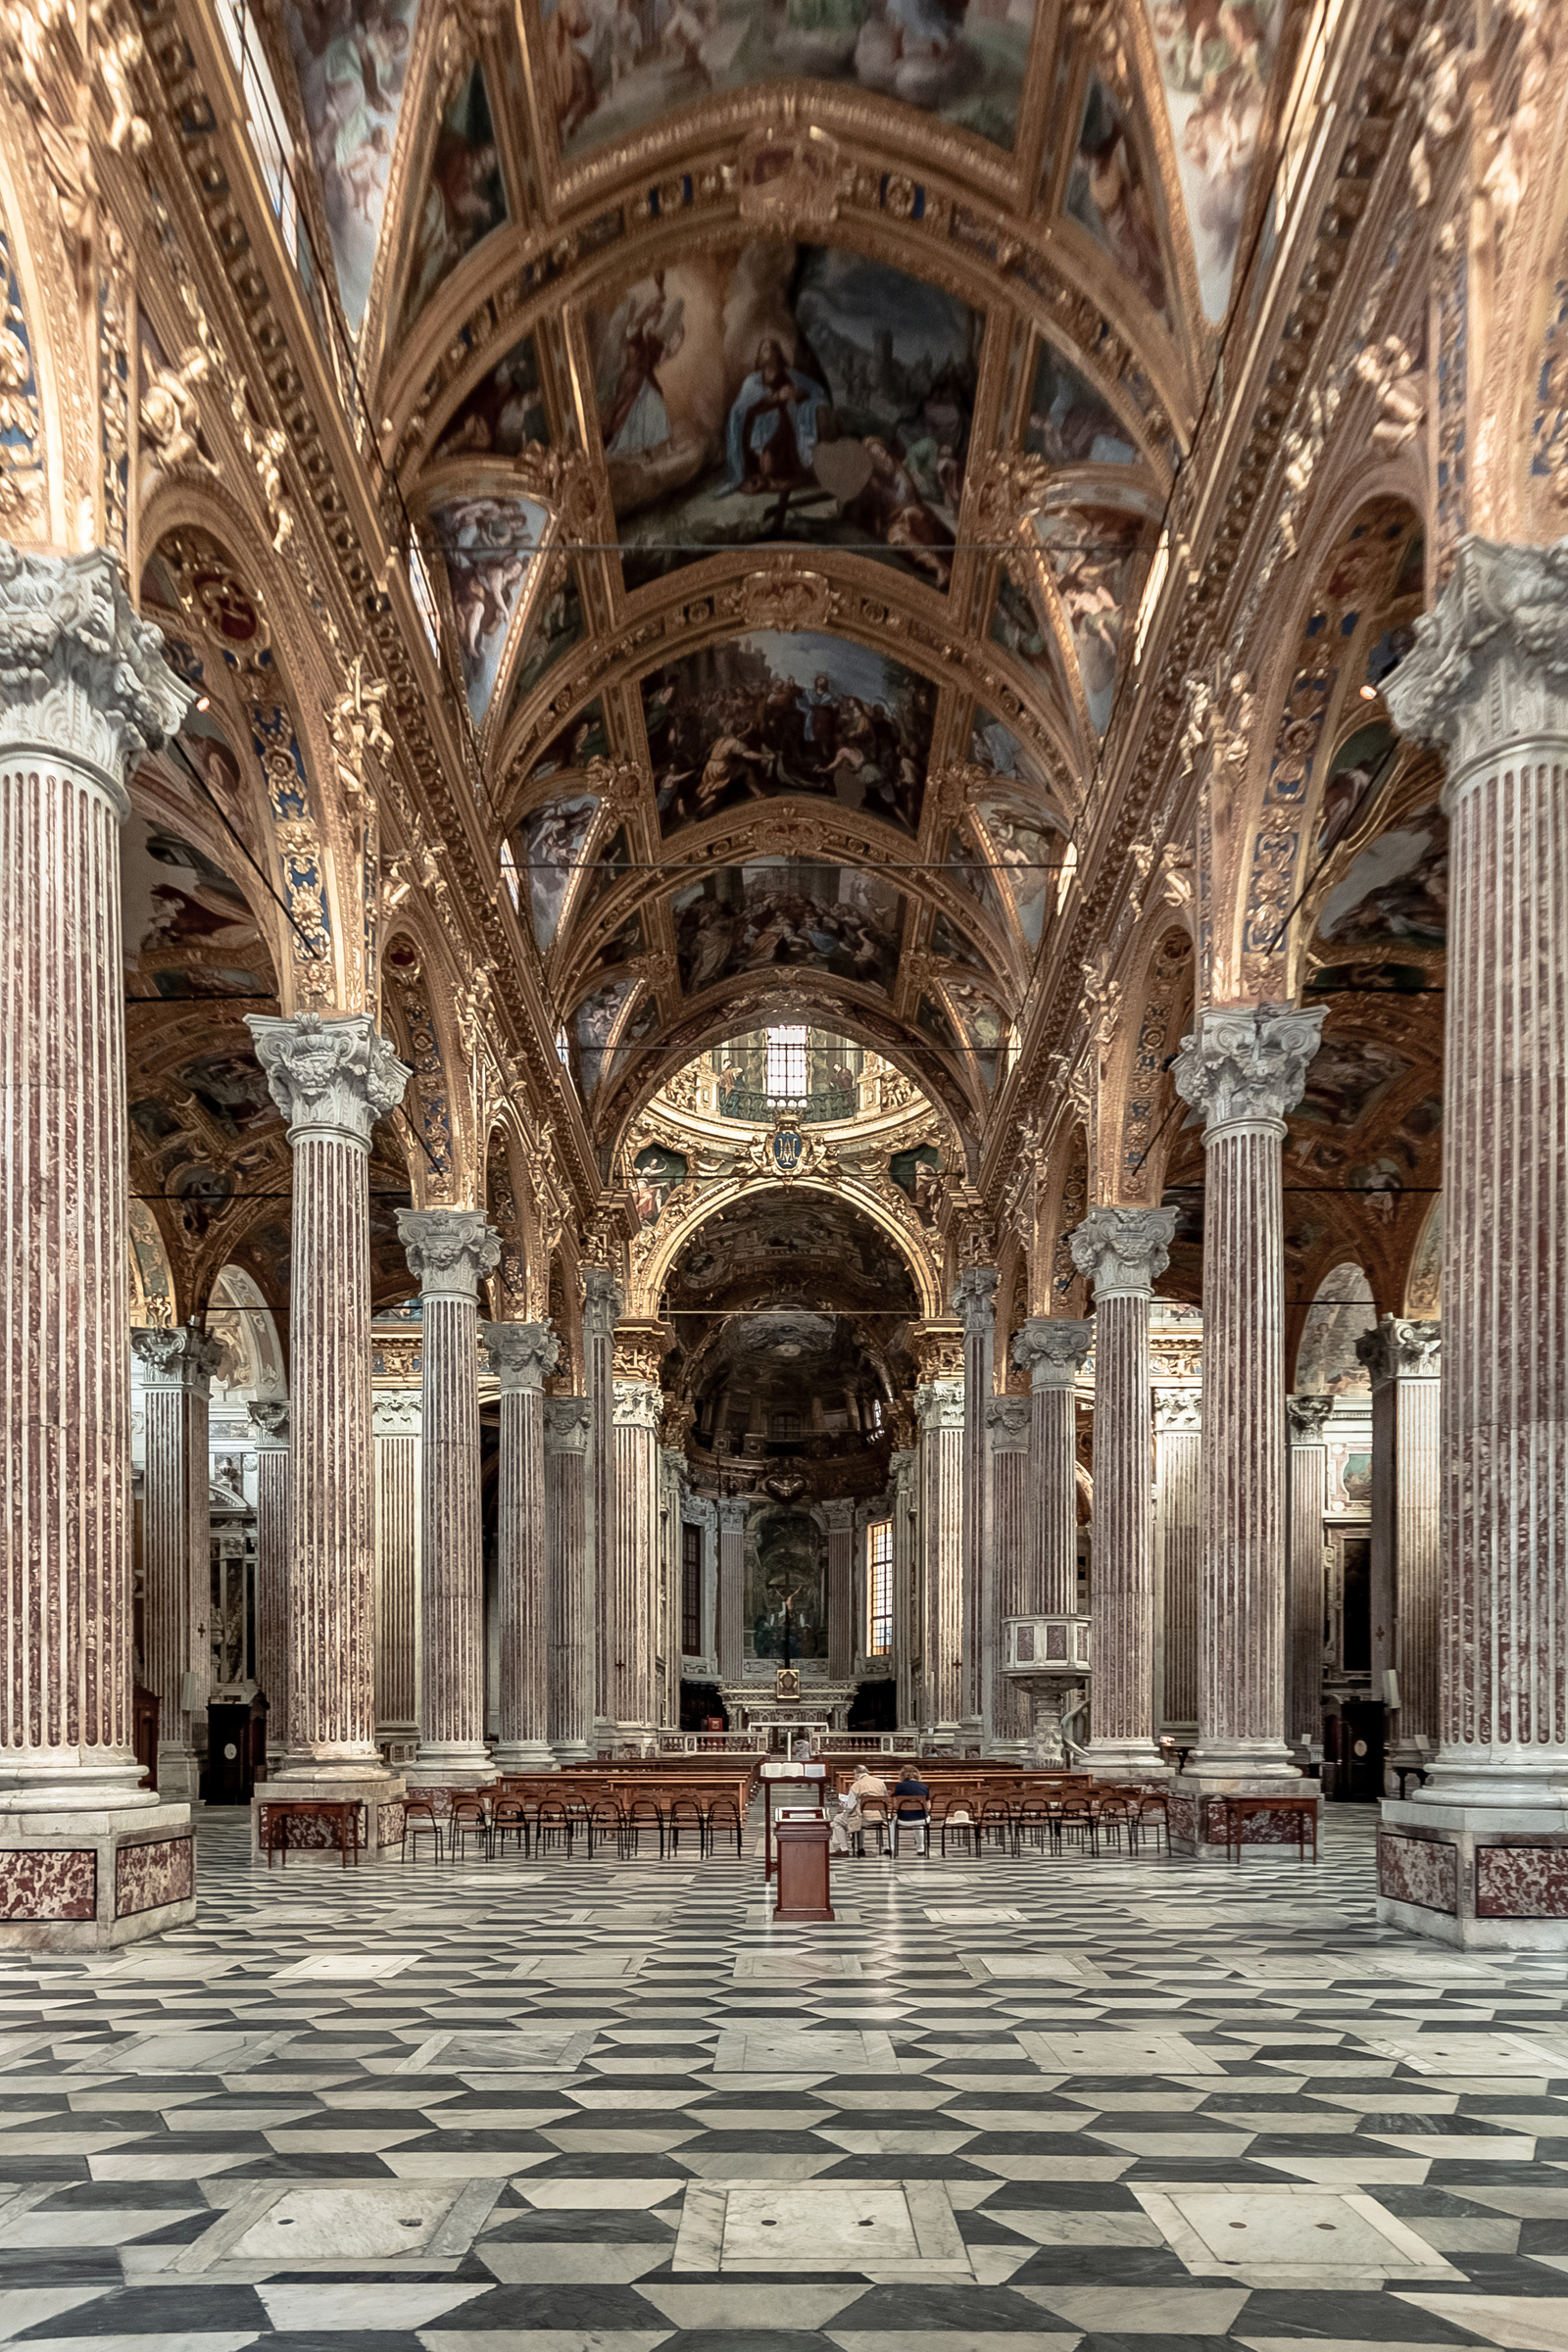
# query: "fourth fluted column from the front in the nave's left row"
{"points": [[523, 1356]]}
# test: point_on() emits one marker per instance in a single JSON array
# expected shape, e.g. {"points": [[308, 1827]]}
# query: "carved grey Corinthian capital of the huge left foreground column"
{"points": [[81, 676]]}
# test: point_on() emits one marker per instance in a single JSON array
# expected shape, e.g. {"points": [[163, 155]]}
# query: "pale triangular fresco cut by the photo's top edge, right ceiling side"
{"points": [[1217, 67]]}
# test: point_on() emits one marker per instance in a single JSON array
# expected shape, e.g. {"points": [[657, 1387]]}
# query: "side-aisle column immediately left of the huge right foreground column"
{"points": [[1405, 1365]]}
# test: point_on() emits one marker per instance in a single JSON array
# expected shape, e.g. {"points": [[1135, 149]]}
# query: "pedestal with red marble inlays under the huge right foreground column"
{"points": [[1485, 1878]]}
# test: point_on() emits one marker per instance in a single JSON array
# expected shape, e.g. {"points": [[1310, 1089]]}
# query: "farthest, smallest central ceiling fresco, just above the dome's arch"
{"points": [[789, 914]]}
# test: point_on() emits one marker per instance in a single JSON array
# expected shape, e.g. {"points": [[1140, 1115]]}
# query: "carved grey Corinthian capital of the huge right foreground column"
{"points": [[1492, 662]]}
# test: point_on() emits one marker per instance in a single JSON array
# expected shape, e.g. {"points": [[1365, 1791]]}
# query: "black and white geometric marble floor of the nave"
{"points": [[1043, 2106]]}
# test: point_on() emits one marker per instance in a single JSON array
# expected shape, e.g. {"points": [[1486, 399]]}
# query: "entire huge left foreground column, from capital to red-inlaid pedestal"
{"points": [[88, 1857]]}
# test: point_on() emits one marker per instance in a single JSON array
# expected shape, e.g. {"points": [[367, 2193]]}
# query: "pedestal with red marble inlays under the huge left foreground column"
{"points": [[91, 1880]]}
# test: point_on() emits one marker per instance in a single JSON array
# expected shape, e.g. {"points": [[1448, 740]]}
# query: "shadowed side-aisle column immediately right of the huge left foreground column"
{"points": [[177, 1375]]}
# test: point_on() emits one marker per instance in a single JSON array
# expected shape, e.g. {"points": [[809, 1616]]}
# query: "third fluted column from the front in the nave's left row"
{"points": [[450, 1250]]}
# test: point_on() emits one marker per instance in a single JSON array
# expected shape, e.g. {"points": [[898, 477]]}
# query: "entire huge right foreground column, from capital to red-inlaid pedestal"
{"points": [[1480, 1855]]}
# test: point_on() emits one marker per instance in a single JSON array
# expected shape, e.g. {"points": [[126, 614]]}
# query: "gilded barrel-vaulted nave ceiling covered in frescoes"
{"points": [[711, 345]]}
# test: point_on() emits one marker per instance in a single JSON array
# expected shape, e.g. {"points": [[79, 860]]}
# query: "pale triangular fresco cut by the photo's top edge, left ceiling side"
{"points": [[351, 60]]}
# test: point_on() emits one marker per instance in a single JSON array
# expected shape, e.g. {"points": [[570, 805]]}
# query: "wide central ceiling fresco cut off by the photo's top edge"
{"points": [[615, 67]]}
